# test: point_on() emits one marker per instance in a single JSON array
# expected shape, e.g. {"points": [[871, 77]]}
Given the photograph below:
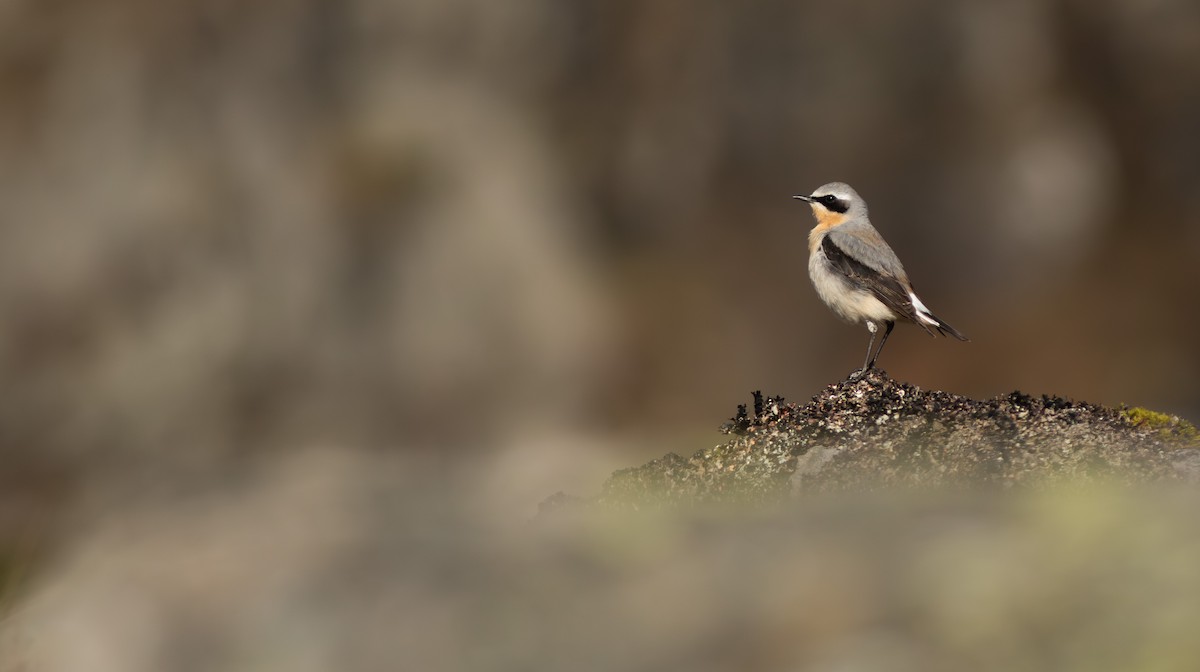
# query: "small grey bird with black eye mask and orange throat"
{"points": [[857, 274]]}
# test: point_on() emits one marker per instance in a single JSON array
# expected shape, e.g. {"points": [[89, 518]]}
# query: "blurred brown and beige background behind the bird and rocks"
{"points": [[551, 238]]}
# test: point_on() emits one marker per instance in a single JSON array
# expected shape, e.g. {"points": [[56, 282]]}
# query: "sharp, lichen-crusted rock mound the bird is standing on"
{"points": [[874, 431]]}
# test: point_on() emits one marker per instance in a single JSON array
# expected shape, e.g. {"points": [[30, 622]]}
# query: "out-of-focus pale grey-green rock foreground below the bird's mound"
{"points": [[359, 562]]}
